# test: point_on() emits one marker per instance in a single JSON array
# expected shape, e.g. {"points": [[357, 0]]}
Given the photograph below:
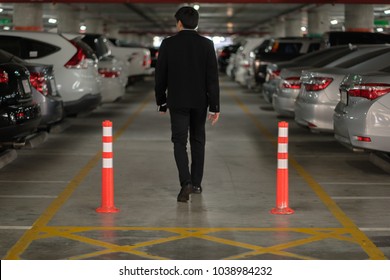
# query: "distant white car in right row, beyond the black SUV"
{"points": [[241, 59]]}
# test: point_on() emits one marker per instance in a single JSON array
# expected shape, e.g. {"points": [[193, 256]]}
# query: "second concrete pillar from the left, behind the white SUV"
{"points": [[68, 19]]}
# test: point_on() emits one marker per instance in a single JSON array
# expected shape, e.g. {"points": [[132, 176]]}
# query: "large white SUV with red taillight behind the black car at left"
{"points": [[76, 75]]}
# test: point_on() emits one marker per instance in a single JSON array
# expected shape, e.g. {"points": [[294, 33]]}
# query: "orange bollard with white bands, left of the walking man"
{"points": [[107, 205]]}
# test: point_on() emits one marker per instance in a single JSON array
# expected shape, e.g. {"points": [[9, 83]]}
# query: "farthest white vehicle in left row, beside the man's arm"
{"points": [[137, 59]]}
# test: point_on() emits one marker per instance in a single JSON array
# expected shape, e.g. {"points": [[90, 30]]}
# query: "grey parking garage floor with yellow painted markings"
{"points": [[49, 193]]}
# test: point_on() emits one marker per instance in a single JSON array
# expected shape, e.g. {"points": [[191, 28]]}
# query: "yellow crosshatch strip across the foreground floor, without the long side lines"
{"points": [[73, 233]]}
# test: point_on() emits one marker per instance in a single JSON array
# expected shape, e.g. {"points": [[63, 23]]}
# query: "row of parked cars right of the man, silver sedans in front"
{"points": [[342, 89]]}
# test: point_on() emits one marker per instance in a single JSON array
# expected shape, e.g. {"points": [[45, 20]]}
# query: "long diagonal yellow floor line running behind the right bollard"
{"points": [[366, 244]]}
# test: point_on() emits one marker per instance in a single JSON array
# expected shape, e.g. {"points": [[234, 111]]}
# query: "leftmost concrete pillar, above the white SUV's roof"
{"points": [[28, 17]]}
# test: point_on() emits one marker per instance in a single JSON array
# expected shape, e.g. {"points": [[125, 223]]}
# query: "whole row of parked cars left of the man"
{"points": [[46, 77]]}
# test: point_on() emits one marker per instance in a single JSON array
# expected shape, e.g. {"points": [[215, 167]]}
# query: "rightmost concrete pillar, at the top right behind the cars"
{"points": [[359, 17]]}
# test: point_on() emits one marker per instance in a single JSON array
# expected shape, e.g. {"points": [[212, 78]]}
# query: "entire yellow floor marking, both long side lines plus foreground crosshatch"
{"points": [[40, 231]]}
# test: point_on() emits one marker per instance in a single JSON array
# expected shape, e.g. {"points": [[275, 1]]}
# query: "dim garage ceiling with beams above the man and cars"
{"points": [[217, 17]]}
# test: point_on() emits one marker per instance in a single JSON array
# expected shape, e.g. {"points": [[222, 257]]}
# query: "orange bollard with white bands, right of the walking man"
{"points": [[282, 173]]}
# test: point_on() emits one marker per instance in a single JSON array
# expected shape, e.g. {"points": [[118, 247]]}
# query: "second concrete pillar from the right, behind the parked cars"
{"points": [[318, 21]]}
